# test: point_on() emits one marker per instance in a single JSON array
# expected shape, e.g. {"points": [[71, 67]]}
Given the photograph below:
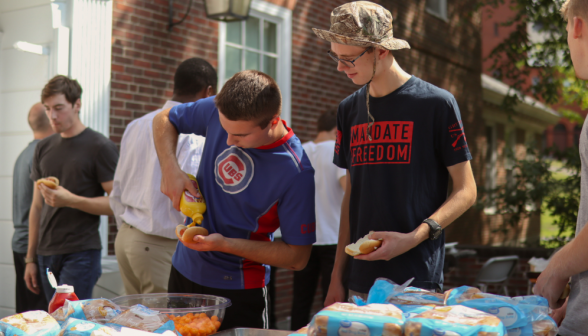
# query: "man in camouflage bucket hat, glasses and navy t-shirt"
{"points": [[399, 144]]}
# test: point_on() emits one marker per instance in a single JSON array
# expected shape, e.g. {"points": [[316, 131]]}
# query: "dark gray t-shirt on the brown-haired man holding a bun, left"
{"points": [[81, 164]]}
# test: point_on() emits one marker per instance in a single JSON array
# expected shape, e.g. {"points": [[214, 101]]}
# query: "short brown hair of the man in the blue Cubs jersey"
{"points": [[250, 95]]}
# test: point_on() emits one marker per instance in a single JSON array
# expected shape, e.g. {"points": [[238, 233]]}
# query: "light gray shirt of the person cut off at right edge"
{"points": [[576, 316]]}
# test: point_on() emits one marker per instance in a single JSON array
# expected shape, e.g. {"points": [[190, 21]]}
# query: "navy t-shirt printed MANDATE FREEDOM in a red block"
{"points": [[400, 177]]}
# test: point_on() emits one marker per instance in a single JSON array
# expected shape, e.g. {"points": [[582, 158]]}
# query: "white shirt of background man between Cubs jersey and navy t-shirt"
{"points": [[328, 191]]}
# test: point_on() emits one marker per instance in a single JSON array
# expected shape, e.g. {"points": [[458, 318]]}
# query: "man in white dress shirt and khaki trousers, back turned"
{"points": [[145, 217]]}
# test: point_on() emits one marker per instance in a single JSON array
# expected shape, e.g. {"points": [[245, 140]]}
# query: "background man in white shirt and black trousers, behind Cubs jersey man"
{"points": [[329, 190]]}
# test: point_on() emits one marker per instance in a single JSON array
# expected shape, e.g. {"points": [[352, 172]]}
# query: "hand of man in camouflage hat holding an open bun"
{"points": [[393, 245]]}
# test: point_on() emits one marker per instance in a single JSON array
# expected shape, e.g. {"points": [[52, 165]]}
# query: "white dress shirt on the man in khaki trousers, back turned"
{"points": [[136, 197]]}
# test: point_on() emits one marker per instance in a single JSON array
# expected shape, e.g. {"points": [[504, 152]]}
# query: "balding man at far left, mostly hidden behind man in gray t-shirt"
{"points": [[22, 196]]}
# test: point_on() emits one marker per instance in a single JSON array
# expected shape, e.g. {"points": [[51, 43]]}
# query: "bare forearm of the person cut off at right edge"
{"points": [[572, 258]]}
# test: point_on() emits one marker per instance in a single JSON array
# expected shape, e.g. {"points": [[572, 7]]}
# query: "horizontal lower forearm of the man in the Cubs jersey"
{"points": [[278, 254]]}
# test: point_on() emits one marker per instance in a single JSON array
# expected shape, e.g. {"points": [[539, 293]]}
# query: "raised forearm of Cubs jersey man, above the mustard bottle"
{"points": [[165, 137]]}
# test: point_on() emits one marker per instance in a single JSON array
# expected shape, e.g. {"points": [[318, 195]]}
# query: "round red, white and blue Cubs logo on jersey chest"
{"points": [[233, 170]]}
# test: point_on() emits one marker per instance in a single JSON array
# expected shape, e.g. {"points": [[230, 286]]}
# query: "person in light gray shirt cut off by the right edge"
{"points": [[572, 260]]}
